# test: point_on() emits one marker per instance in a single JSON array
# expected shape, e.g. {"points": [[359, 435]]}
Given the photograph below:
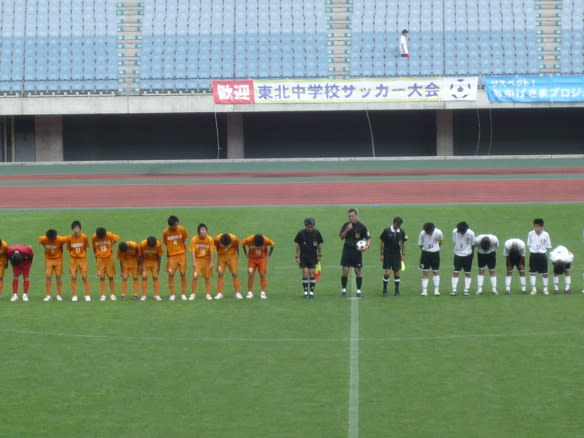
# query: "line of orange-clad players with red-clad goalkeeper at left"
{"points": [[140, 261]]}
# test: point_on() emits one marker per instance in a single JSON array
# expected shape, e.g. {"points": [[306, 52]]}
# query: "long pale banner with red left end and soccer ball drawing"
{"points": [[307, 91]]}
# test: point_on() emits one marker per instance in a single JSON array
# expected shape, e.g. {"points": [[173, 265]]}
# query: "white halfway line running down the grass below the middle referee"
{"points": [[354, 371]]}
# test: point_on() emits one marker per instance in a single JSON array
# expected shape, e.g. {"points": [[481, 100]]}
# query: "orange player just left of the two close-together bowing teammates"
{"points": [[103, 242]]}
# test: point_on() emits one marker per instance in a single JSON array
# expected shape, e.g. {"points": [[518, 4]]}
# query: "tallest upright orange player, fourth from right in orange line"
{"points": [[174, 237]]}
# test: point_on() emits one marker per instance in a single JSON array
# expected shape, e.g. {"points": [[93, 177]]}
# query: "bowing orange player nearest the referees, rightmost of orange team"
{"points": [[257, 248]]}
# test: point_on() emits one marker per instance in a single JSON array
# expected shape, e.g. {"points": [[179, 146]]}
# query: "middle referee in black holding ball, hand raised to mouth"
{"points": [[351, 232]]}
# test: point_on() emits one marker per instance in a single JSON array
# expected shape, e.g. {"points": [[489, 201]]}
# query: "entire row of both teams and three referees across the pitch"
{"points": [[141, 261]]}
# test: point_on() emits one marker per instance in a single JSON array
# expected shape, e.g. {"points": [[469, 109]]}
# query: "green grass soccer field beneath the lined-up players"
{"points": [[485, 366]]}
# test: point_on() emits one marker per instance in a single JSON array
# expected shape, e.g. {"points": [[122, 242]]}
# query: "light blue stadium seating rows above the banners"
{"points": [[73, 46]]}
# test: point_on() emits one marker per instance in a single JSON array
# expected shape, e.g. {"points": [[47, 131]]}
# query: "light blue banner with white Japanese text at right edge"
{"points": [[535, 88]]}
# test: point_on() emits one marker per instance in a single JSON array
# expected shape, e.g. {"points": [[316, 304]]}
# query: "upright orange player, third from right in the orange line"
{"points": [[203, 250]]}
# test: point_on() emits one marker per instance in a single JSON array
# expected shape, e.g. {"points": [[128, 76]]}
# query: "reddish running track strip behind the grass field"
{"points": [[122, 190]]}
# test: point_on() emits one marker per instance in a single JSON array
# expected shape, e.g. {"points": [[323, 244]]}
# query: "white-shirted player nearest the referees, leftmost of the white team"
{"points": [[429, 241]]}
